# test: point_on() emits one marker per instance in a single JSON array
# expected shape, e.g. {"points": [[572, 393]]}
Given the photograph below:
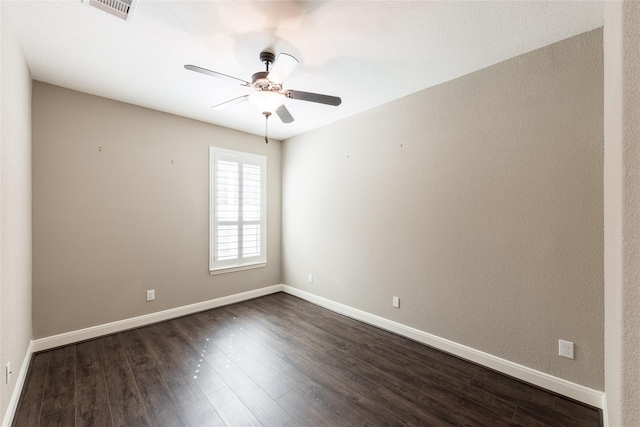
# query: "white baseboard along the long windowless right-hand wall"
{"points": [[558, 385]]}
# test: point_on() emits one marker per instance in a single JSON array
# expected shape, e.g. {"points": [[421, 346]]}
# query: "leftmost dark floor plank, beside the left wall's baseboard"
{"points": [[30, 404]]}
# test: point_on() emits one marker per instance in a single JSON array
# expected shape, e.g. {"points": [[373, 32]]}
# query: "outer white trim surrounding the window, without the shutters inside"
{"points": [[253, 262]]}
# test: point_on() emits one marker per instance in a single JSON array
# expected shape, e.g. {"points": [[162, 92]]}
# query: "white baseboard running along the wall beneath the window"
{"points": [[147, 319]]}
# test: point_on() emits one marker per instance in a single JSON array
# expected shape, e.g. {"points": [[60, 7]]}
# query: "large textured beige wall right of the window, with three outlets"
{"points": [[478, 202]]}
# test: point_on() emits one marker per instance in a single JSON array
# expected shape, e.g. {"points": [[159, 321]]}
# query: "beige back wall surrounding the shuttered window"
{"points": [[110, 224]]}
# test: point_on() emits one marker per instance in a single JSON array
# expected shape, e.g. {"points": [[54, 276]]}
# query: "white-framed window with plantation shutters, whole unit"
{"points": [[238, 210]]}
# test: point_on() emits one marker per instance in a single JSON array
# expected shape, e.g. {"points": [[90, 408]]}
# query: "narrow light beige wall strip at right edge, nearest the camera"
{"points": [[622, 210]]}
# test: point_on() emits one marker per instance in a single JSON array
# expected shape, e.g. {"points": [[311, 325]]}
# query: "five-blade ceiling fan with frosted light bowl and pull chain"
{"points": [[268, 94]]}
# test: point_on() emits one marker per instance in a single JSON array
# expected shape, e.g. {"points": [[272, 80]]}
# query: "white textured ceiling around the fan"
{"points": [[366, 52]]}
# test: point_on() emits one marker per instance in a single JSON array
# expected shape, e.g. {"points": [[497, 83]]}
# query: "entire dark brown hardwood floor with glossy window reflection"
{"points": [[276, 361]]}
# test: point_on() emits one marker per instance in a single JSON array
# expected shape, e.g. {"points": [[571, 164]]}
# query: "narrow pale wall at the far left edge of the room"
{"points": [[15, 209]]}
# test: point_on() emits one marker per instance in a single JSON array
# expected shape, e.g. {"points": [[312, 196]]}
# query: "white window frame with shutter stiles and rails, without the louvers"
{"points": [[240, 262]]}
